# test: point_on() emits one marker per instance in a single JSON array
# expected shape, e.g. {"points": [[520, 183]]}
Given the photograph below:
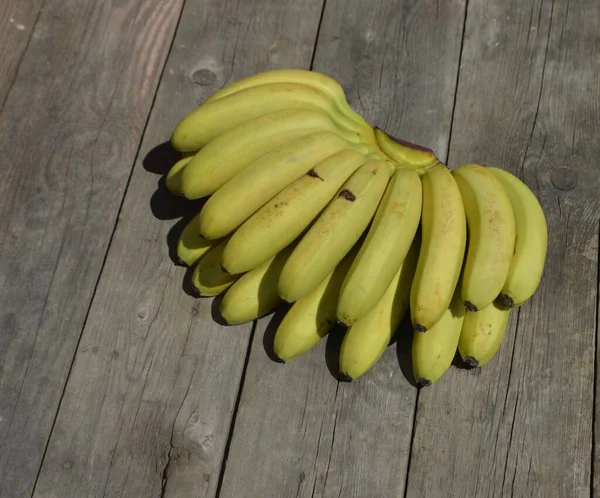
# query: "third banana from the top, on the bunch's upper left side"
{"points": [[225, 156]]}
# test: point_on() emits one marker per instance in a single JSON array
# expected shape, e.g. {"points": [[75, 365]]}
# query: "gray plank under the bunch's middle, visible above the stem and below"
{"points": [[312, 435]]}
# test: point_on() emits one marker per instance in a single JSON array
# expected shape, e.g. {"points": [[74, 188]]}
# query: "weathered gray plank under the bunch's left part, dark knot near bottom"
{"points": [[149, 402]]}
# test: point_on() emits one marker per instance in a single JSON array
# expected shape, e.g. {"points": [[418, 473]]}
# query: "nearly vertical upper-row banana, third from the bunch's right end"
{"points": [[442, 249]]}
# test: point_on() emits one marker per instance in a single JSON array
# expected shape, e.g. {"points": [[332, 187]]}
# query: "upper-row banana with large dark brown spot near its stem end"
{"points": [[335, 231]]}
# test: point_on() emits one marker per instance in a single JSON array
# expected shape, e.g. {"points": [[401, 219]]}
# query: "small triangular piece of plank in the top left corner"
{"points": [[17, 20]]}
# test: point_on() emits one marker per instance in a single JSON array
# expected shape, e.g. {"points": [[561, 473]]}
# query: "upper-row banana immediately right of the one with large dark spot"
{"points": [[388, 241]]}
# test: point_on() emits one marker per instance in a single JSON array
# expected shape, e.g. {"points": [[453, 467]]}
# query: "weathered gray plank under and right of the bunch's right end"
{"points": [[522, 426]]}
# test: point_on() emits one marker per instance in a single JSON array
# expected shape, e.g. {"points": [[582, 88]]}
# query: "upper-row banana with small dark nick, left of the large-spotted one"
{"points": [[289, 213]]}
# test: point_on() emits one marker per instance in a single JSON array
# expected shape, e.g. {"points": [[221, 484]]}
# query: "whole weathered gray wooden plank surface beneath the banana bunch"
{"points": [[114, 382]]}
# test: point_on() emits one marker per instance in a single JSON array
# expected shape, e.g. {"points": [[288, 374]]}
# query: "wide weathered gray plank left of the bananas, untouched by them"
{"points": [[69, 131]]}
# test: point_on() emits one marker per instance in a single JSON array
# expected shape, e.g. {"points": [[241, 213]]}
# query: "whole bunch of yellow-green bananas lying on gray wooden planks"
{"points": [[308, 204]]}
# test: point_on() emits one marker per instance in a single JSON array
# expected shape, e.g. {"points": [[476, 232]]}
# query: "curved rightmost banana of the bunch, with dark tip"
{"points": [[531, 241]]}
